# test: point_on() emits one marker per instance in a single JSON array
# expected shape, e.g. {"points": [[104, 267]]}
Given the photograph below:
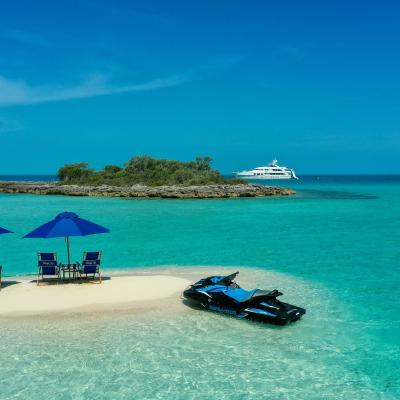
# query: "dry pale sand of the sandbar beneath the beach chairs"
{"points": [[23, 297]]}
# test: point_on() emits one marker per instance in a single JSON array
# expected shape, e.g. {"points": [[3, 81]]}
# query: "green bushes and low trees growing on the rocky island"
{"points": [[147, 171]]}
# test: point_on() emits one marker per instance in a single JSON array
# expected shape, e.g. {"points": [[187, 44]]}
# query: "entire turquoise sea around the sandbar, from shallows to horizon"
{"points": [[333, 248]]}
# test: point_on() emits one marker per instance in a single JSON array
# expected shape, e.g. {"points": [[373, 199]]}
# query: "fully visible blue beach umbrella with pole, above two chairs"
{"points": [[65, 225]]}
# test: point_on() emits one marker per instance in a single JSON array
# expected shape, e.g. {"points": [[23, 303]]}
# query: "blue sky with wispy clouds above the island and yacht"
{"points": [[315, 84]]}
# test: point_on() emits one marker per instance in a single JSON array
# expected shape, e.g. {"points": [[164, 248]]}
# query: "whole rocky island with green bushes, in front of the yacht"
{"points": [[146, 177]]}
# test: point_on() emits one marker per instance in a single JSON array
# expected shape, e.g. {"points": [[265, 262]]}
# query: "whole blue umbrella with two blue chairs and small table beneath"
{"points": [[65, 225]]}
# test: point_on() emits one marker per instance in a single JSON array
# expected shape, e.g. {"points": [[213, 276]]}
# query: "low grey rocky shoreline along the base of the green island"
{"points": [[141, 191]]}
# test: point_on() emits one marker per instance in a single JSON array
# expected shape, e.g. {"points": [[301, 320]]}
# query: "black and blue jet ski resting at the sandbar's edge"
{"points": [[222, 294]]}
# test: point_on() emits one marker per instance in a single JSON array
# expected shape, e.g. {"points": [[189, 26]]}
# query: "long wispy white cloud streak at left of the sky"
{"points": [[19, 92]]}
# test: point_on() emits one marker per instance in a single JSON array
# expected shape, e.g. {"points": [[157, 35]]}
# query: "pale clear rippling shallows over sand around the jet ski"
{"points": [[176, 352]]}
